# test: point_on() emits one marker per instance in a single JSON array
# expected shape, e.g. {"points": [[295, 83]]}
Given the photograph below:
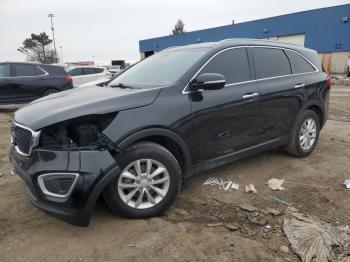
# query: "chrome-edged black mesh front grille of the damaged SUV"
{"points": [[23, 138]]}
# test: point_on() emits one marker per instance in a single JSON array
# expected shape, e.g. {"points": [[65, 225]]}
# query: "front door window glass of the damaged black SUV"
{"points": [[233, 64]]}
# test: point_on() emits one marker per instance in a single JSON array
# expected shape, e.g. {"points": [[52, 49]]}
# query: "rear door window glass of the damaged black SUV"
{"points": [[270, 62]]}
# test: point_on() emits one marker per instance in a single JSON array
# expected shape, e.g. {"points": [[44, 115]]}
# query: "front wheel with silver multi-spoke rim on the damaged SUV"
{"points": [[115, 196]]}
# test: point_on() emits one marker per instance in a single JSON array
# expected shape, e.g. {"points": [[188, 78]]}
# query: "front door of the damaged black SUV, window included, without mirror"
{"points": [[227, 120]]}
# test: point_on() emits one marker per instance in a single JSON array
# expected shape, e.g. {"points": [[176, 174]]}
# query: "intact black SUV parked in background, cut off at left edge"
{"points": [[25, 82]]}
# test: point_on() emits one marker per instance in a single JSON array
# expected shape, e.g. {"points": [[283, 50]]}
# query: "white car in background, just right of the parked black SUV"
{"points": [[85, 74]]}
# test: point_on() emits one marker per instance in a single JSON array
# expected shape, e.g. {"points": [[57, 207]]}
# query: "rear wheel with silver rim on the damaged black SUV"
{"points": [[296, 147]]}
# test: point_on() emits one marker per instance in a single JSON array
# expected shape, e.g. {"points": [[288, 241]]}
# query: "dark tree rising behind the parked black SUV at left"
{"points": [[38, 48]]}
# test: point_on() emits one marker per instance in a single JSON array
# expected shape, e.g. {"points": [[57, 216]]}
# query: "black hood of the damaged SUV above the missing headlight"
{"points": [[92, 100]]}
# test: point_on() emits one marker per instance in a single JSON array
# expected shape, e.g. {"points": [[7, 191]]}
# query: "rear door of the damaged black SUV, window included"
{"points": [[281, 92]]}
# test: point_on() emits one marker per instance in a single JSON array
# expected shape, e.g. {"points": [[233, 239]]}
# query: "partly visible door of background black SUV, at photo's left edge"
{"points": [[6, 83]]}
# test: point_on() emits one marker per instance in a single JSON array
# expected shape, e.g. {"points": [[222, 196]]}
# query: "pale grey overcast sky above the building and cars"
{"points": [[111, 29]]}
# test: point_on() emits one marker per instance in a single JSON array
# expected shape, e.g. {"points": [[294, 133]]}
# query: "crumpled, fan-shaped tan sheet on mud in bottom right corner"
{"points": [[314, 240]]}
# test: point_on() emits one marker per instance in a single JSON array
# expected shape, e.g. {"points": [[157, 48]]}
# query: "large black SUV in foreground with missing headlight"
{"points": [[177, 113]]}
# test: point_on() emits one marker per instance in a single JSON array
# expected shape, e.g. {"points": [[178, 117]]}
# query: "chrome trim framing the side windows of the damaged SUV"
{"points": [[184, 91]]}
